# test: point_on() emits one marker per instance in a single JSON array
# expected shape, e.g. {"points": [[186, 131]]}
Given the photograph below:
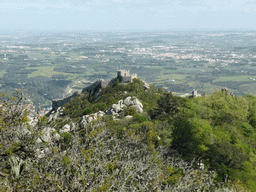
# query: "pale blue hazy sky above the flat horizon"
{"points": [[127, 15]]}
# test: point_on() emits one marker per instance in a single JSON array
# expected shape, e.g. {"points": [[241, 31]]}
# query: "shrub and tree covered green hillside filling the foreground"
{"points": [[177, 144]]}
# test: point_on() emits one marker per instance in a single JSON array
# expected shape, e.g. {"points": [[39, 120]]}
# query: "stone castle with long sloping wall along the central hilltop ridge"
{"points": [[122, 75]]}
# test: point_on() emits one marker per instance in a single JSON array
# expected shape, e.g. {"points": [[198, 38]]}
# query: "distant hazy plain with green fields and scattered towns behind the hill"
{"points": [[54, 65]]}
